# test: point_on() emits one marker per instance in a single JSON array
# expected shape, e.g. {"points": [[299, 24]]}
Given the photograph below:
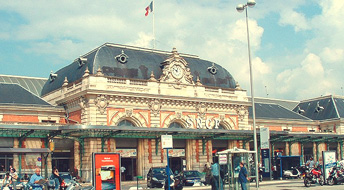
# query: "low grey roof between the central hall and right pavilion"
{"points": [[275, 112]]}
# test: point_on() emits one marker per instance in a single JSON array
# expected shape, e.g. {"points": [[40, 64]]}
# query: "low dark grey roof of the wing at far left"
{"points": [[13, 94]]}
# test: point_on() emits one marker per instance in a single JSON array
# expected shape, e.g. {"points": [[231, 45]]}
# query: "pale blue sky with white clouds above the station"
{"points": [[297, 48]]}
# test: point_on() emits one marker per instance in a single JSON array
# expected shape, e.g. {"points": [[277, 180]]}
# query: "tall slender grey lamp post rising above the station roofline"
{"points": [[240, 8]]}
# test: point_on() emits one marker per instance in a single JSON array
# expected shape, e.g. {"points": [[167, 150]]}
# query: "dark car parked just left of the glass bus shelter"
{"points": [[192, 177]]}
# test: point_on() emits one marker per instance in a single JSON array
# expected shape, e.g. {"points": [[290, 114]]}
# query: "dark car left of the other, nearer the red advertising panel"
{"points": [[156, 177]]}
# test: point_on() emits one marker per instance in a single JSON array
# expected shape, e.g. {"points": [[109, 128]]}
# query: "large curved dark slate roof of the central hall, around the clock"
{"points": [[140, 63]]}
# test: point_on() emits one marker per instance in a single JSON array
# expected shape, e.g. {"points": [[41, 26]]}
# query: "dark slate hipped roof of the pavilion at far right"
{"points": [[321, 108]]}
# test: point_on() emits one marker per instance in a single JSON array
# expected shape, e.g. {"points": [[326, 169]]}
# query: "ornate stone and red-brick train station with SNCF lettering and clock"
{"points": [[119, 98]]}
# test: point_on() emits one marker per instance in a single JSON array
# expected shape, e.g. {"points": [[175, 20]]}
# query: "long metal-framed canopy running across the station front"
{"points": [[101, 131]]}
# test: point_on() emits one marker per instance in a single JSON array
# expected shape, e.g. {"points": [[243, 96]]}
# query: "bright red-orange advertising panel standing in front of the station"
{"points": [[106, 171]]}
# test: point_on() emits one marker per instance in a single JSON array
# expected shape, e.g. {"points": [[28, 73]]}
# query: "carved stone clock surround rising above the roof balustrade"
{"points": [[175, 70]]}
